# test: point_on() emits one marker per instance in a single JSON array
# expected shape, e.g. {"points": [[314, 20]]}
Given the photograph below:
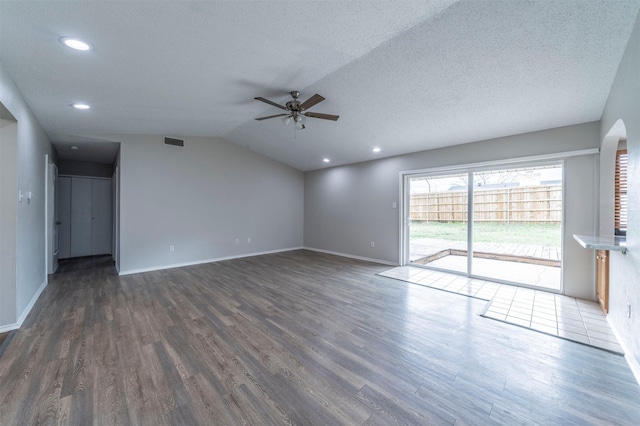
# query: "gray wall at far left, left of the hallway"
{"points": [[32, 146]]}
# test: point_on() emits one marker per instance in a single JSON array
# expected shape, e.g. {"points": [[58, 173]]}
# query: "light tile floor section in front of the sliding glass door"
{"points": [[566, 317]]}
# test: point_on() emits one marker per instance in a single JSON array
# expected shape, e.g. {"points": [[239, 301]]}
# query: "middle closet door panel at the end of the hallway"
{"points": [[81, 217]]}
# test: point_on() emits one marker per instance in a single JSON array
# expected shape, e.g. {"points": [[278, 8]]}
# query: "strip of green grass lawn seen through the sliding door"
{"points": [[547, 234]]}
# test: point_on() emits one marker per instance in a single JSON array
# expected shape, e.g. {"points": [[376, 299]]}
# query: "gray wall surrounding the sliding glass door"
{"points": [[348, 207]]}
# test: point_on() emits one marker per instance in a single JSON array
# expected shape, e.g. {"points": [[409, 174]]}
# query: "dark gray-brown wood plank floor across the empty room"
{"points": [[291, 338]]}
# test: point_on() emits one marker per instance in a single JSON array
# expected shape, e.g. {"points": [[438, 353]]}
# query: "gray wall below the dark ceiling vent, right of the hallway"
{"points": [[200, 199]]}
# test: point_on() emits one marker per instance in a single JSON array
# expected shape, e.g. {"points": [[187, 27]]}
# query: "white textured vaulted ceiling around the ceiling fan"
{"points": [[403, 75]]}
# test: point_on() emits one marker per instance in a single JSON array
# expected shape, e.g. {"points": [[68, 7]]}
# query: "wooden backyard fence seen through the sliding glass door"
{"points": [[528, 204]]}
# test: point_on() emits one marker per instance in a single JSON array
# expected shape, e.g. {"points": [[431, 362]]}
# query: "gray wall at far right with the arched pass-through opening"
{"points": [[624, 287]]}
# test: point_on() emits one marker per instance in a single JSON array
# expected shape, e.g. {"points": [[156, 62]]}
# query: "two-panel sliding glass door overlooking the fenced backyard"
{"points": [[515, 232]]}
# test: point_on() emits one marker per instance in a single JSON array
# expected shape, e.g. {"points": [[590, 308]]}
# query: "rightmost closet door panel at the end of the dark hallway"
{"points": [[101, 216]]}
